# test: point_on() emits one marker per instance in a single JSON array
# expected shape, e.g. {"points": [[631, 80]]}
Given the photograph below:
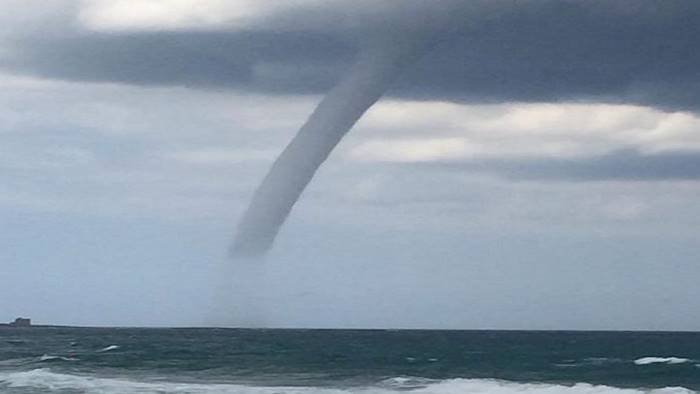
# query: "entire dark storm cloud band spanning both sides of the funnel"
{"points": [[643, 52]]}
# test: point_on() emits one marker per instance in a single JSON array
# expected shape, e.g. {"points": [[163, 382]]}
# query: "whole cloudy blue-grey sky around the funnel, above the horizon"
{"points": [[538, 168]]}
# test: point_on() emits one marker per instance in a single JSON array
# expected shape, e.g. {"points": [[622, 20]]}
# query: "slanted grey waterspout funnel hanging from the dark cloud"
{"points": [[337, 113]]}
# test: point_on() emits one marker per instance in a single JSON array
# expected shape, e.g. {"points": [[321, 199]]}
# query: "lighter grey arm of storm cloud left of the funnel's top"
{"points": [[197, 59]]}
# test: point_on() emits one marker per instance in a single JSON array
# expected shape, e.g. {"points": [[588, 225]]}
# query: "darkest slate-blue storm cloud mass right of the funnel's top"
{"points": [[567, 51]]}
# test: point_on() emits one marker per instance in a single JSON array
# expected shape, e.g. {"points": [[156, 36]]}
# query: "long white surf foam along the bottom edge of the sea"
{"points": [[43, 379]]}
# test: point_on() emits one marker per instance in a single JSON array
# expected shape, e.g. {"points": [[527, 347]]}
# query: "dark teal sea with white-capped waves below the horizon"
{"points": [[114, 360]]}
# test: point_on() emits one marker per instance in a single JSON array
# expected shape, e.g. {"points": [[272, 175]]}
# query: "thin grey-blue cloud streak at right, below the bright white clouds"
{"points": [[624, 165]]}
